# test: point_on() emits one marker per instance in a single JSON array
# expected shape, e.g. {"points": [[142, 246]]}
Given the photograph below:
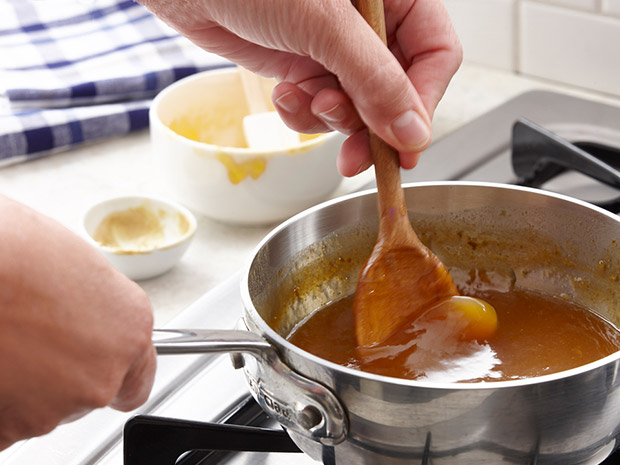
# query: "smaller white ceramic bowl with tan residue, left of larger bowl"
{"points": [[142, 237]]}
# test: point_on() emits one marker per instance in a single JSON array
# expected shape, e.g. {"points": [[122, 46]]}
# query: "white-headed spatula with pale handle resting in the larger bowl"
{"points": [[263, 129]]}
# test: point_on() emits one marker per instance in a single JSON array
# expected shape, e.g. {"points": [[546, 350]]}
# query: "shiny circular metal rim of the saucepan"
{"points": [[276, 339]]}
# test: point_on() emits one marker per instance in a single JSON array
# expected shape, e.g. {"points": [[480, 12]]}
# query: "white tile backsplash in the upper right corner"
{"points": [[575, 42]]}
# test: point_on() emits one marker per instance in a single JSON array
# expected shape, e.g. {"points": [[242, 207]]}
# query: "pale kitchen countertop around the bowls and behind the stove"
{"points": [[64, 185]]}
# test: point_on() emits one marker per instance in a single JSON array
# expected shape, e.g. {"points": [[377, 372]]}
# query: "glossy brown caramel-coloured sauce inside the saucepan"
{"points": [[536, 335]]}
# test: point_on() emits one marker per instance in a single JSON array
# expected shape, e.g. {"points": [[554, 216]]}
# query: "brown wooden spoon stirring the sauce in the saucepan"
{"points": [[402, 277]]}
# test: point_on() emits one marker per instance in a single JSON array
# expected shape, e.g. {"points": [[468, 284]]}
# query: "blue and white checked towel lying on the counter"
{"points": [[75, 71]]}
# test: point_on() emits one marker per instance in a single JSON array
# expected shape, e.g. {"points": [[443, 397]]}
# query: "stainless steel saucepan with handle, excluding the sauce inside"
{"points": [[525, 238]]}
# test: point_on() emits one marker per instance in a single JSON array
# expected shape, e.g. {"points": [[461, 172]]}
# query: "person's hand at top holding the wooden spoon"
{"points": [[334, 72]]}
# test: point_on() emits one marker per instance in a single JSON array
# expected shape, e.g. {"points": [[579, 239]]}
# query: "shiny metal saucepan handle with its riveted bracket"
{"points": [[297, 402]]}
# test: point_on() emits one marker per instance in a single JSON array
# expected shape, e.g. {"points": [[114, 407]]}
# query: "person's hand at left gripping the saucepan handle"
{"points": [[75, 334]]}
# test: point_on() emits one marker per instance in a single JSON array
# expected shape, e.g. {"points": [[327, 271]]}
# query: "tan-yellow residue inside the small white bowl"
{"points": [[139, 229]]}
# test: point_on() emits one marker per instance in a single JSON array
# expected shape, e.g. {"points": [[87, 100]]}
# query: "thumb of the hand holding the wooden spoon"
{"points": [[372, 77]]}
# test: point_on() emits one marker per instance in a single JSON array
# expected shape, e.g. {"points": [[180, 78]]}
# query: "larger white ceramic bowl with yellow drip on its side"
{"points": [[227, 183]]}
